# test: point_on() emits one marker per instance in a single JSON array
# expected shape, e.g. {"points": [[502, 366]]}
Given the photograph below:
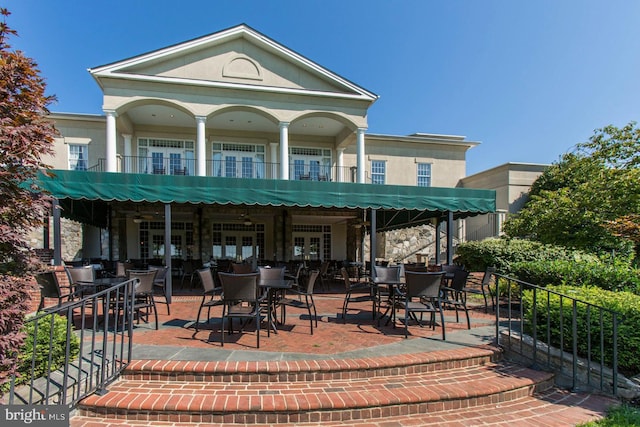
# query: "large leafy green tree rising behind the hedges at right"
{"points": [[576, 201]]}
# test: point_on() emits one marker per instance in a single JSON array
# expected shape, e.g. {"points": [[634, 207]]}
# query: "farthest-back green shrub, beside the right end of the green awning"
{"points": [[503, 253]]}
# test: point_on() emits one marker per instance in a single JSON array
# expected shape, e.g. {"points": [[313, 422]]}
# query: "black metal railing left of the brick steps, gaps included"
{"points": [[100, 326]]}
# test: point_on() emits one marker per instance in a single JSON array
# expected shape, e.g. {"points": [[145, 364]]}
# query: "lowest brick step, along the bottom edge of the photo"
{"points": [[552, 407]]}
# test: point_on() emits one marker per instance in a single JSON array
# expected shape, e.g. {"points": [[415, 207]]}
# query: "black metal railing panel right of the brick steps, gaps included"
{"points": [[547, 333]]}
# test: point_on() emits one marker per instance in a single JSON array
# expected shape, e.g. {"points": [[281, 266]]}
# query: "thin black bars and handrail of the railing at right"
{"points": [[507, 321]]}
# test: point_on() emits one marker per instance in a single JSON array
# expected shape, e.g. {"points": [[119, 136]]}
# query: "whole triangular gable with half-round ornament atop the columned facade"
{"points": [[237, 57]]}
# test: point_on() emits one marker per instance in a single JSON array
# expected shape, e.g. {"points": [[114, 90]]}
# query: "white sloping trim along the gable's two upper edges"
{"points": [[232, 32]]}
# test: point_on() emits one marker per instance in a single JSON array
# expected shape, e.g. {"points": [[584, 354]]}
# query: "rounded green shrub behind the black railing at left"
{"points": [[43, 350]]}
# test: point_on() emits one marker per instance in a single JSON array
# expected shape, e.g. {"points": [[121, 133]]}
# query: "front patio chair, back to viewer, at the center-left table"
{"points": [[240, 300]]}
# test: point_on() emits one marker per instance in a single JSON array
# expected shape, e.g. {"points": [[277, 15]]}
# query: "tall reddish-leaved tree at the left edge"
{"points": [[25, 135]]}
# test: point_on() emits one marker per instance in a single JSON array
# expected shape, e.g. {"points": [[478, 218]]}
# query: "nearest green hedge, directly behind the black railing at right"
{"points": [[624, 303]]}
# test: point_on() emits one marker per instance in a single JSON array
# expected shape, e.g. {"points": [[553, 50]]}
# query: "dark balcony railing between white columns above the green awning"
{"points": [[229, 169]]}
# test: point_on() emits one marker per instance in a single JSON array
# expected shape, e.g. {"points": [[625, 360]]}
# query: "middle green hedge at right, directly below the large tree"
{"points": [[579, 272]]}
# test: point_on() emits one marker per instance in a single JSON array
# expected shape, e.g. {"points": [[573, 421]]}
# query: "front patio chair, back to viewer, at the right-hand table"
{"points": [[422, 295]]}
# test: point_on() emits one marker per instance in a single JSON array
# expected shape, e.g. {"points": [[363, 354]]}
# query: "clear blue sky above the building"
{"points": [[528, 80]]}
